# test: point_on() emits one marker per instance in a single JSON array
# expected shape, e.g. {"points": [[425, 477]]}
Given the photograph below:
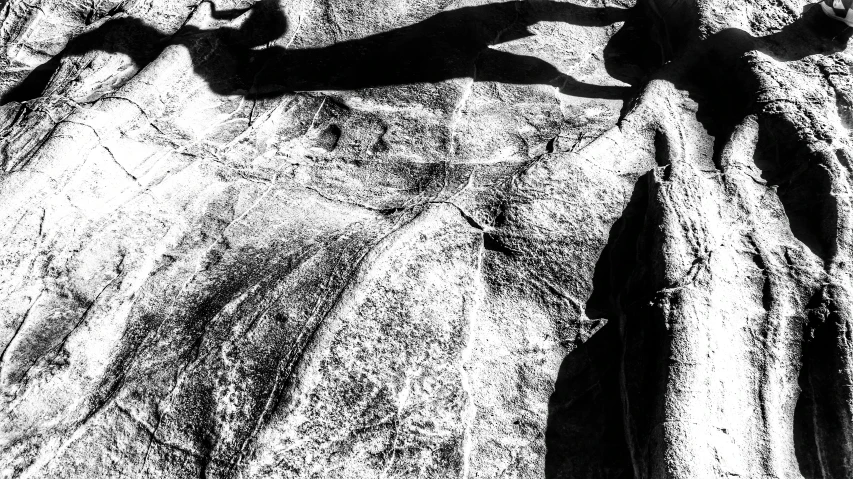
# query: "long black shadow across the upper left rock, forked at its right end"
{"points": [[451, 44]]}
